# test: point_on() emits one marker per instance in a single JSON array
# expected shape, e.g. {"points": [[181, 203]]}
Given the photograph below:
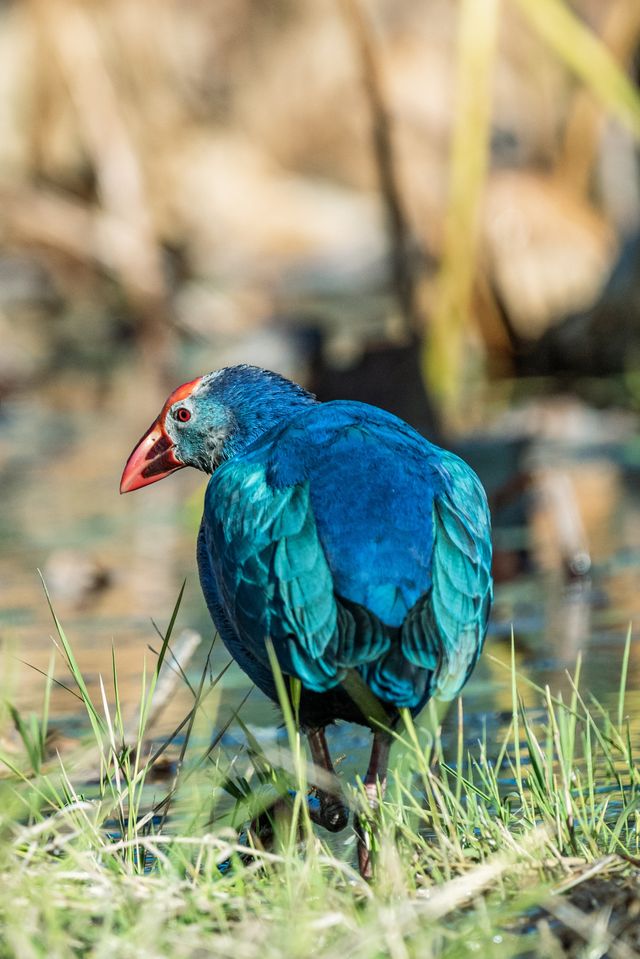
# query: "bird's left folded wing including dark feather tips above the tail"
{"points": [[266, 576]]}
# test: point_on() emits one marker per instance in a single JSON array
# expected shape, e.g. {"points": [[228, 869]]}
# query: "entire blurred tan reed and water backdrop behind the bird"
{"points": [[429, 205]]}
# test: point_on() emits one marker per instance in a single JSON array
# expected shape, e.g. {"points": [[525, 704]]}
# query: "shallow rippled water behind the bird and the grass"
{"points": [[113, 564]]}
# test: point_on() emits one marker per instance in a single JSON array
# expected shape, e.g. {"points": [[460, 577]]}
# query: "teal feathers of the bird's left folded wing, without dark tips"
{"points": [[272, 576]]}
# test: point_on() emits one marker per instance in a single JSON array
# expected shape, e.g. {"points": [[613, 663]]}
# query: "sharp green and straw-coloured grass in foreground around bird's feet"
{"points": [[488, 848]]}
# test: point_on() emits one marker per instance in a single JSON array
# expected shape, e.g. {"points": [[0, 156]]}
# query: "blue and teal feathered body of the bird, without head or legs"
{"points": [[352, 543]]}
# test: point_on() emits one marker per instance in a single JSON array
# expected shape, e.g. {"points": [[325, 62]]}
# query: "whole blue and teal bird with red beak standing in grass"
{"points": [[339, 540]]}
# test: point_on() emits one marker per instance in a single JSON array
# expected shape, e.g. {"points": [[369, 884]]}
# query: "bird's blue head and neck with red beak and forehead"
{"points": [[210, 419]]}
